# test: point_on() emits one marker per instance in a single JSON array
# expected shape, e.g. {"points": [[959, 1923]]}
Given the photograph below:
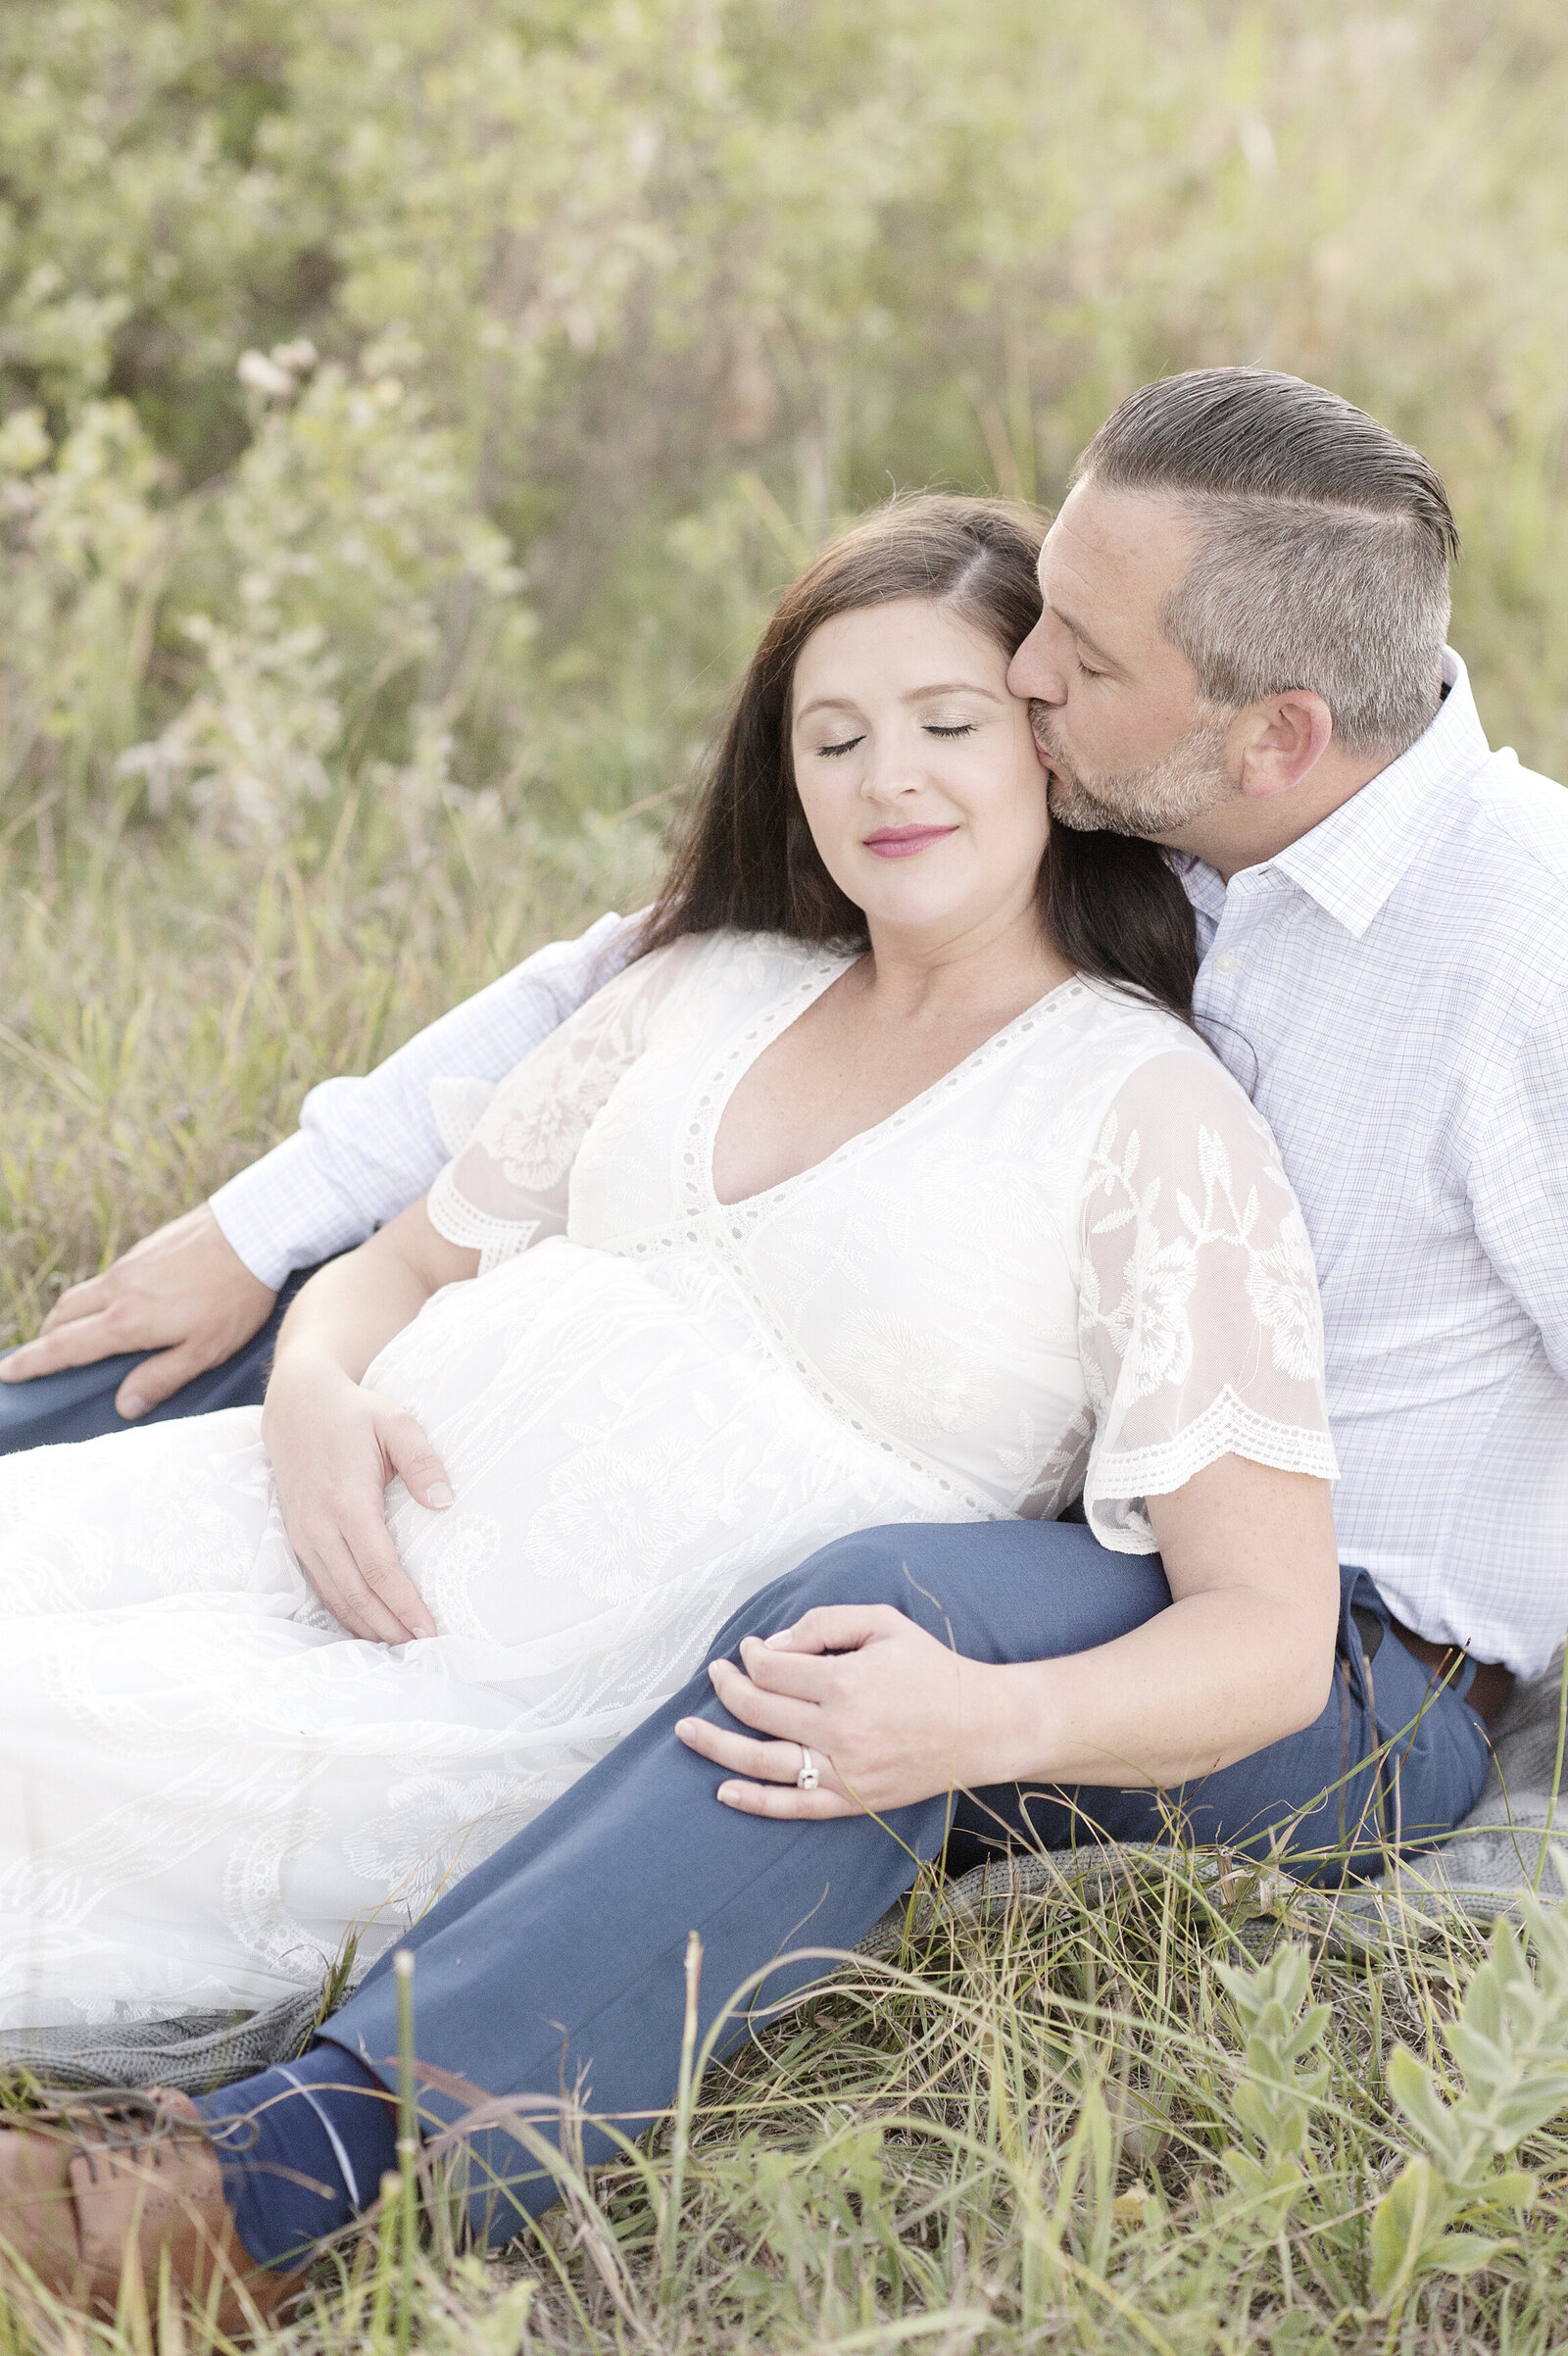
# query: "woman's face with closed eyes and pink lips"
{"points": [[917, 772]]}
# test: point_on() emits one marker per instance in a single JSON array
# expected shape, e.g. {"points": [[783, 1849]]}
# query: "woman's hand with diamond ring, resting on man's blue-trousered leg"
{"points": [[889, 1714]]}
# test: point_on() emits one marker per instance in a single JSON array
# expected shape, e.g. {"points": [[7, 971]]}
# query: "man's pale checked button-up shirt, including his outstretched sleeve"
{"points": [[1393, 991]]}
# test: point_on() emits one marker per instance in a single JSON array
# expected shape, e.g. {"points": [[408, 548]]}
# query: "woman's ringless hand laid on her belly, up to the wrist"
{"points": [[335, 1448]]}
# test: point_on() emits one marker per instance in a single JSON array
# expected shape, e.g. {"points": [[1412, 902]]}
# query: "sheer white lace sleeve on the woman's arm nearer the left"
{"points": [[514, 1146]]}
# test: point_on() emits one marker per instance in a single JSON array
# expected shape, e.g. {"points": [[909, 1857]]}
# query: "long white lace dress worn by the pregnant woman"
{"points": [[1072, 1266]]}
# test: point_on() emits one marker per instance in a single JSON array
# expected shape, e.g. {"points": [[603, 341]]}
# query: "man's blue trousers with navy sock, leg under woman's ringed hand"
{"points": [[559, 1964]]}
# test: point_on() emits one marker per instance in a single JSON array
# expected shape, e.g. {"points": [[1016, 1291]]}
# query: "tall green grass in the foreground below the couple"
{"points": [[1150, 2115]]}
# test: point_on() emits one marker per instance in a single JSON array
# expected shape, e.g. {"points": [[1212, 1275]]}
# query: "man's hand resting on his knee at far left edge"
{"points": [[182, 1292]]}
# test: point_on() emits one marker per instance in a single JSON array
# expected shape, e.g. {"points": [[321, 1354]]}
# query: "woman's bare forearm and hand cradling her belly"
{"points": [[338, 1445]]}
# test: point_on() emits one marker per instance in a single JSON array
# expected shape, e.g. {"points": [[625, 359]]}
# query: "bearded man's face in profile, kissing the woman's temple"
{"points": [[1117, 713]]}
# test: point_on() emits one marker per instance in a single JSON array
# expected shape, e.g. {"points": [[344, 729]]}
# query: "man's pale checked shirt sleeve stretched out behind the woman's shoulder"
{"points": [[368, 1149]]}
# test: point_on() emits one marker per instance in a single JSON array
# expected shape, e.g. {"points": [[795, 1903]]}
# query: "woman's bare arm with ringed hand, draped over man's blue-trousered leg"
{"points": [[1240, 1660]]}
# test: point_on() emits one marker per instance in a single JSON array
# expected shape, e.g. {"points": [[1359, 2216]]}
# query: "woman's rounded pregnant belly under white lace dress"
{"points": [[627, 1457]]}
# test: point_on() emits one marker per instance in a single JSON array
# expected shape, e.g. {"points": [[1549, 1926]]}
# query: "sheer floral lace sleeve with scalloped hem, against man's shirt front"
{"points": [[1200, 1316]]}
